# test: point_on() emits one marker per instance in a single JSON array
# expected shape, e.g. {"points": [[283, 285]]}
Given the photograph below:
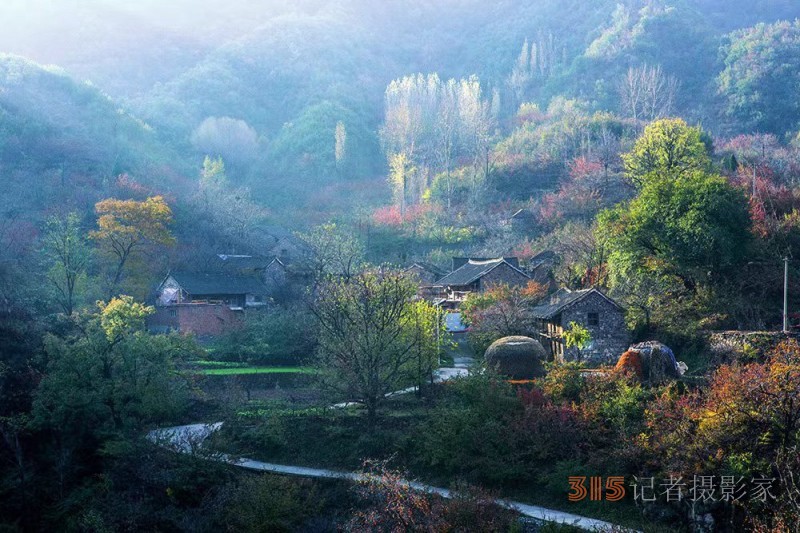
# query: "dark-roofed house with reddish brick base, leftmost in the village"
{"points": [[212, 298]]}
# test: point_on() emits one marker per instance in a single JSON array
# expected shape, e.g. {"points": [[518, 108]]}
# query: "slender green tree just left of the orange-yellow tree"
{"points": [[67, 254]]}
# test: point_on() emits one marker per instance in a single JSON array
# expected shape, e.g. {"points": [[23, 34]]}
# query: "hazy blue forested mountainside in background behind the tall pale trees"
{"points": [[288, 75]]}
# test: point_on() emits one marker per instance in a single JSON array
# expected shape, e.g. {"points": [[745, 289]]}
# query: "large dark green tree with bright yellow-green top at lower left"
{"points": [[105, 385]]}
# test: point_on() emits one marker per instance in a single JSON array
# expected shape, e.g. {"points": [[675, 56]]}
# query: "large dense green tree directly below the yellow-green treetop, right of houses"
{"points": [[693, 230]]}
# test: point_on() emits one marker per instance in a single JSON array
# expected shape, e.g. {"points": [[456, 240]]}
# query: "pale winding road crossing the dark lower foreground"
{"points": [[189, 439]]}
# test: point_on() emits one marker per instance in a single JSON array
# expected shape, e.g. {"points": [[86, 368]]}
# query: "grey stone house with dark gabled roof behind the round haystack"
{"points": [[591, 308]]}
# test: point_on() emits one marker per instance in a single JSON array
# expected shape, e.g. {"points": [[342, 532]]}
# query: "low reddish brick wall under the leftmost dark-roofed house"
{"points": [[201, 319]]}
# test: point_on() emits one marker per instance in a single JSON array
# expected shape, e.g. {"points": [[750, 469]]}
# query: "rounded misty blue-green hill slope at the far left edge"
{"points": [[65, 142]]}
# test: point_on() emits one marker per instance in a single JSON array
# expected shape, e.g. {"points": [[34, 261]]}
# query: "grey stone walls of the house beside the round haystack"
{"points": [[610, 338]]}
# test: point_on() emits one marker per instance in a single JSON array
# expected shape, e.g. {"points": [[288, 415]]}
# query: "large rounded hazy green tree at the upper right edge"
{"points": [[762, 76]]}
